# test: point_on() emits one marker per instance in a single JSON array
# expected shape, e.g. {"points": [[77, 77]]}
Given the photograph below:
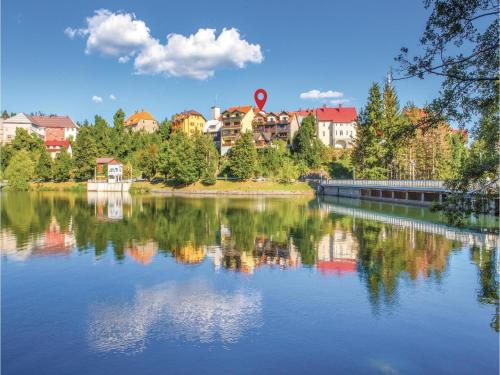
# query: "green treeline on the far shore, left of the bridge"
{"points": [[162, 154]]}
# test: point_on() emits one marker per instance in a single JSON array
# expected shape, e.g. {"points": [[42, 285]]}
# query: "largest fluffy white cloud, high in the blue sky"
{"points": [[198, 55]]}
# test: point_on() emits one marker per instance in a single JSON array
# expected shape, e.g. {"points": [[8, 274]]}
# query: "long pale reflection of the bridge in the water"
{"points": [[487, 240]]}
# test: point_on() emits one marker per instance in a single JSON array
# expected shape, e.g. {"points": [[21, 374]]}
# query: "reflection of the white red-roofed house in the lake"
{"points": [[337, 252]]}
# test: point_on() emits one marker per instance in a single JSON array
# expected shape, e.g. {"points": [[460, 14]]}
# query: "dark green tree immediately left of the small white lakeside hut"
{"points": [[84, 154]]}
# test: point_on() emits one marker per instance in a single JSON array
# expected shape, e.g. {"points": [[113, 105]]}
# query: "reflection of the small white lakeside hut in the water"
{"points": [[110, 205]]}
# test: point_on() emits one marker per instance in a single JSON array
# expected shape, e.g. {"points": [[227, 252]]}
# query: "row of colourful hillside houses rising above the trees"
{"points": [[336, 126]]}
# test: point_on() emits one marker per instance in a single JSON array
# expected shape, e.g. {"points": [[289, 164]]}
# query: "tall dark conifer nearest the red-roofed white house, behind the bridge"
{"points": [[369, 150]]}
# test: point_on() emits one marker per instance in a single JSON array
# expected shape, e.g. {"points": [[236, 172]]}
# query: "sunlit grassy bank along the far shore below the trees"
{"points": [[237, 187]]}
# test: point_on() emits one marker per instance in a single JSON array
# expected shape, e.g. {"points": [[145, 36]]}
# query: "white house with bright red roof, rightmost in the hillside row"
{"points": [[336, 126]]}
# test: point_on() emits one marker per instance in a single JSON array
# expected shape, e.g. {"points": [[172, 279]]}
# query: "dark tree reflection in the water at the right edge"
{"points": [[486, 262]]}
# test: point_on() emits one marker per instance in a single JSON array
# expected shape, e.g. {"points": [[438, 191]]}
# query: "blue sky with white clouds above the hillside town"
{"points": [[288, 48]]}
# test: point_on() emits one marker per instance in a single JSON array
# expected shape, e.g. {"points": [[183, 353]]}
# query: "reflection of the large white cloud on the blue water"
{"points": [[192, 311]]}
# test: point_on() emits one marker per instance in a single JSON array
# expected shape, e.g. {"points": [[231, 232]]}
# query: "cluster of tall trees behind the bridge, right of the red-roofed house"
{"points": [[395, 143]]}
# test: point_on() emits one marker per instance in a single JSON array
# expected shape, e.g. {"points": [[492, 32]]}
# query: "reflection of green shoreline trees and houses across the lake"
{"points": [[243, 234]]}
